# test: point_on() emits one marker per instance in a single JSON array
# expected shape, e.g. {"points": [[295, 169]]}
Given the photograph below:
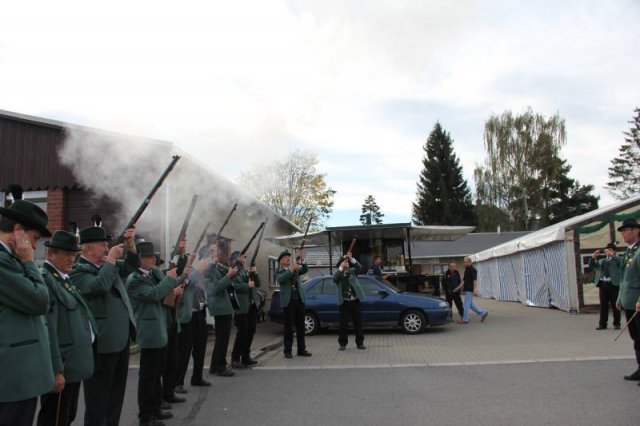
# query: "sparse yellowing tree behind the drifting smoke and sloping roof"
{"points": [[293, 188]]}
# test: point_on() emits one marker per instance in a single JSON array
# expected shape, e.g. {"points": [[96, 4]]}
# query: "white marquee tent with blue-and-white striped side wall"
{"points": [[539, 269]]}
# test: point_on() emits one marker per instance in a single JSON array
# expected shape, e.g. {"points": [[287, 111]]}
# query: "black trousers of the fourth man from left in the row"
{"points": [[152, 365]]}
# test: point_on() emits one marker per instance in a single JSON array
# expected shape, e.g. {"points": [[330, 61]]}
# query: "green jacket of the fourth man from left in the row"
{"points": [[151, 315]]}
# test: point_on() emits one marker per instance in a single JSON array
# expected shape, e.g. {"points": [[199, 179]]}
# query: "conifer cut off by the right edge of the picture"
{"points": [[624, 173]]}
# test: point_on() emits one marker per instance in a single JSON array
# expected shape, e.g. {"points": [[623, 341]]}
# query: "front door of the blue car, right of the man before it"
{"points": [[380, 305]]}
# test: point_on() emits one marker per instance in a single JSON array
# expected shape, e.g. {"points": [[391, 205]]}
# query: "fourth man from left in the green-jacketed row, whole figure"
{"points": [[147, 287]]}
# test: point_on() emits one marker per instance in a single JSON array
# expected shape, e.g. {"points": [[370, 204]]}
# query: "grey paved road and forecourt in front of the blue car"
{"points": [[523, 366]]}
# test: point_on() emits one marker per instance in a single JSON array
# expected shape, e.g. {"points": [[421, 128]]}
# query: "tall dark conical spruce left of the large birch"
{"points": [[443, 196]]}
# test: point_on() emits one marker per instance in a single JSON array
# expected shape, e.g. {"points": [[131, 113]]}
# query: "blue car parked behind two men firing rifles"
{"points": [[384, 306]]}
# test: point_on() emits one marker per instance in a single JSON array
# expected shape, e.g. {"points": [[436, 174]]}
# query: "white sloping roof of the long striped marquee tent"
{"points": [[555, 232]]}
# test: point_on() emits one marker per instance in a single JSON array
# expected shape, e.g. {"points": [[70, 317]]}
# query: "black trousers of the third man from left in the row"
{"points": [[104, 392]]}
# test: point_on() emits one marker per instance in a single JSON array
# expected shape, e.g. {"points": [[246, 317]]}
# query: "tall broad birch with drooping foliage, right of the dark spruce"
{"points": [[517, 174]]}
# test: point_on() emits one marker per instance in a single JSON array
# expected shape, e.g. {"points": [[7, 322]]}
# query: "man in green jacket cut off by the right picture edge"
{"points": [[629, 295]]}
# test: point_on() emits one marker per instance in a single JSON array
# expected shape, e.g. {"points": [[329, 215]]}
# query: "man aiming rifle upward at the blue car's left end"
{"points": [[292, 300]]}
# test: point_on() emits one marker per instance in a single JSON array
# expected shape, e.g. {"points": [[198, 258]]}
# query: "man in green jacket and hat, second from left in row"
{"points": [[71, 332]]}
